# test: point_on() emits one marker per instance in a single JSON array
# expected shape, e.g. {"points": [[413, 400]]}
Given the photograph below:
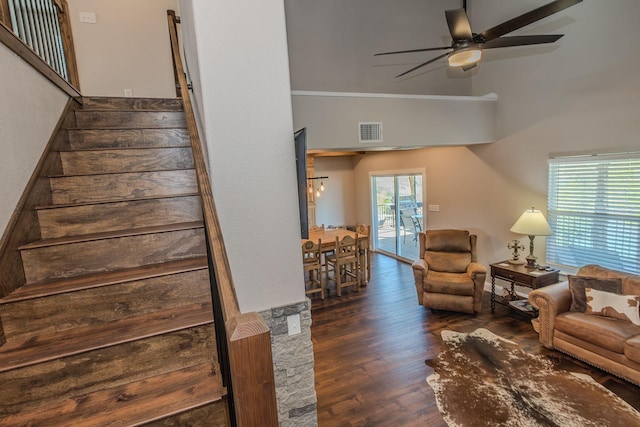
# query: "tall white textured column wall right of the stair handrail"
{"points": [[246, 106]]}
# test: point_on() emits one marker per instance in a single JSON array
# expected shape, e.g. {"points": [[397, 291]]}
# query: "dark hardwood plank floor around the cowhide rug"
{"points": [[370, 347]]}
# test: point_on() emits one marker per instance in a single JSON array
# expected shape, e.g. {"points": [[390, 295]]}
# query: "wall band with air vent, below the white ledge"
{"points": [[408, 121]]}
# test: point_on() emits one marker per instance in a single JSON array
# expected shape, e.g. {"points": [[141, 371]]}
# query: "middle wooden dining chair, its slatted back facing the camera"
{"points": [[343, 266]]}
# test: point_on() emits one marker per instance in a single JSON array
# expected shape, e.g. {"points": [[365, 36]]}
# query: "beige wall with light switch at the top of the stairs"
{"points": [[128, 47]]}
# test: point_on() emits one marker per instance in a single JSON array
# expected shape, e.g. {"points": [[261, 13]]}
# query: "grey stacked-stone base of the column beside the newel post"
{"points": [[293, 366]]}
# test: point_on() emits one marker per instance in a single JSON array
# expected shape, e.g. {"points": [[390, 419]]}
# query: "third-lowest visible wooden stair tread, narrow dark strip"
{"points": [[89, 281]]}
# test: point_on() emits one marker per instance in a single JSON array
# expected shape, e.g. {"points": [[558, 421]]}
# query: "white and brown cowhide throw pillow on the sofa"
{"points": [[622, 307]]}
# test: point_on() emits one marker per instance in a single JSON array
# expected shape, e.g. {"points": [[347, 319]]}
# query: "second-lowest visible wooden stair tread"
{"points": [[45, 347]]}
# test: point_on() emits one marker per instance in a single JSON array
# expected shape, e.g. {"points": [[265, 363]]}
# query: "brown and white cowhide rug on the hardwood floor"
{"points": [[482, 379]]}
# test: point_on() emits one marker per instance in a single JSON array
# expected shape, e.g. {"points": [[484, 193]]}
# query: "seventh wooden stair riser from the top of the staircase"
{"points": [[80, 258]]}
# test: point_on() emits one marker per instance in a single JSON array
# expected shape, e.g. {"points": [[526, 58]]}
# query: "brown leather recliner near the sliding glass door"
{"points": [[448, 276]]}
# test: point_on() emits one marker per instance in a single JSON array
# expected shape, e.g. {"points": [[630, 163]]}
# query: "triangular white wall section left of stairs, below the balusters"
{"points": [[29, 111]]}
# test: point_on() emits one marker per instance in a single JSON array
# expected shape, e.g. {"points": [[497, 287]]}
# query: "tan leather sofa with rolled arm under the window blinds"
{"points": [[594, 336]]}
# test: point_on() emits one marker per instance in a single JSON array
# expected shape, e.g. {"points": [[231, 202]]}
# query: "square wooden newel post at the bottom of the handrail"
{"points": [[251, 365]]}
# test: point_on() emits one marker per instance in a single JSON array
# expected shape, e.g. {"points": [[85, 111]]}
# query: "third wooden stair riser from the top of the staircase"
{"points": [[126, 138]]}
